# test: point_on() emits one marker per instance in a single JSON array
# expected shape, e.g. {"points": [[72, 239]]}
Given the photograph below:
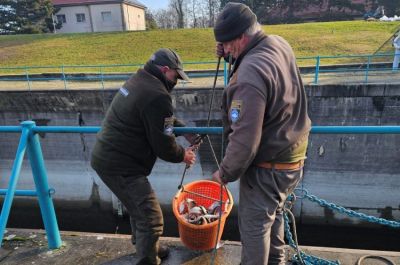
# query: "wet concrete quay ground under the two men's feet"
{"points": [[22, 247]]}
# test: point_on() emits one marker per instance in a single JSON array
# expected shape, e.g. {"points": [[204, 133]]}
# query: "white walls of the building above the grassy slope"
{"points": [[100, 15]]}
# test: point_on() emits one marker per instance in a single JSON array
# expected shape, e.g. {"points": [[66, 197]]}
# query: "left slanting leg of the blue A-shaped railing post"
{"points": [[16, 170]]}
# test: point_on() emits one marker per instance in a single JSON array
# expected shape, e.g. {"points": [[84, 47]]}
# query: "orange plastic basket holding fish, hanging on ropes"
{"points": [[204, 192]]}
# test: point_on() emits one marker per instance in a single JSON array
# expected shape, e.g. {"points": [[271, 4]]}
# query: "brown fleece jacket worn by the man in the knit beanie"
{"points": [[264, 108]]}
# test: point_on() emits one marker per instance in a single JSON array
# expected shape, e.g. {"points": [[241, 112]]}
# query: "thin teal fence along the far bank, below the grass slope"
{"points": [[354, 68]]}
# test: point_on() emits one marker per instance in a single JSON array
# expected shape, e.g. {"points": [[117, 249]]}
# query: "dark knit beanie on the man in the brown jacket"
{"points": [[233, 21]]}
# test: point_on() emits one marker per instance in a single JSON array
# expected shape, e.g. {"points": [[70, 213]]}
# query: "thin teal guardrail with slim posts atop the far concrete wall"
{"points": [[317, 66]]}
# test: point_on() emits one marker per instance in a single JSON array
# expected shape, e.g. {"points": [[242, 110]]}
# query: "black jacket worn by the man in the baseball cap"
{"points": [[137, 129]]}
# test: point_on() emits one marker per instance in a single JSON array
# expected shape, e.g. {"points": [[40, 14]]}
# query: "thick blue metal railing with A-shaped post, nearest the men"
{"points": [[29, 141]]}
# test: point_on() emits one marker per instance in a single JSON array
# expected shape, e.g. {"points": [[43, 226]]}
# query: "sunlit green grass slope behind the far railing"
{"points": [[194, 45]]}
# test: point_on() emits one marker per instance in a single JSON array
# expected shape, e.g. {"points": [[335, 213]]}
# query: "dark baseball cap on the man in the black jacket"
{"points": [[167, 57]]}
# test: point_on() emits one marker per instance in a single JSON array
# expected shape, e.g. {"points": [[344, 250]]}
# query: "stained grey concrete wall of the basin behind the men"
{"points": [[355, 171]]}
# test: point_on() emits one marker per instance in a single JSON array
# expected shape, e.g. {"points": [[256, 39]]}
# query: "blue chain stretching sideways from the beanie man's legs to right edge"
{"points": [[351, 213]]}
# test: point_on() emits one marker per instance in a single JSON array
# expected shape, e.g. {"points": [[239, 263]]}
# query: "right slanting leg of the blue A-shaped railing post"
{"points": [[42, 188]]}
